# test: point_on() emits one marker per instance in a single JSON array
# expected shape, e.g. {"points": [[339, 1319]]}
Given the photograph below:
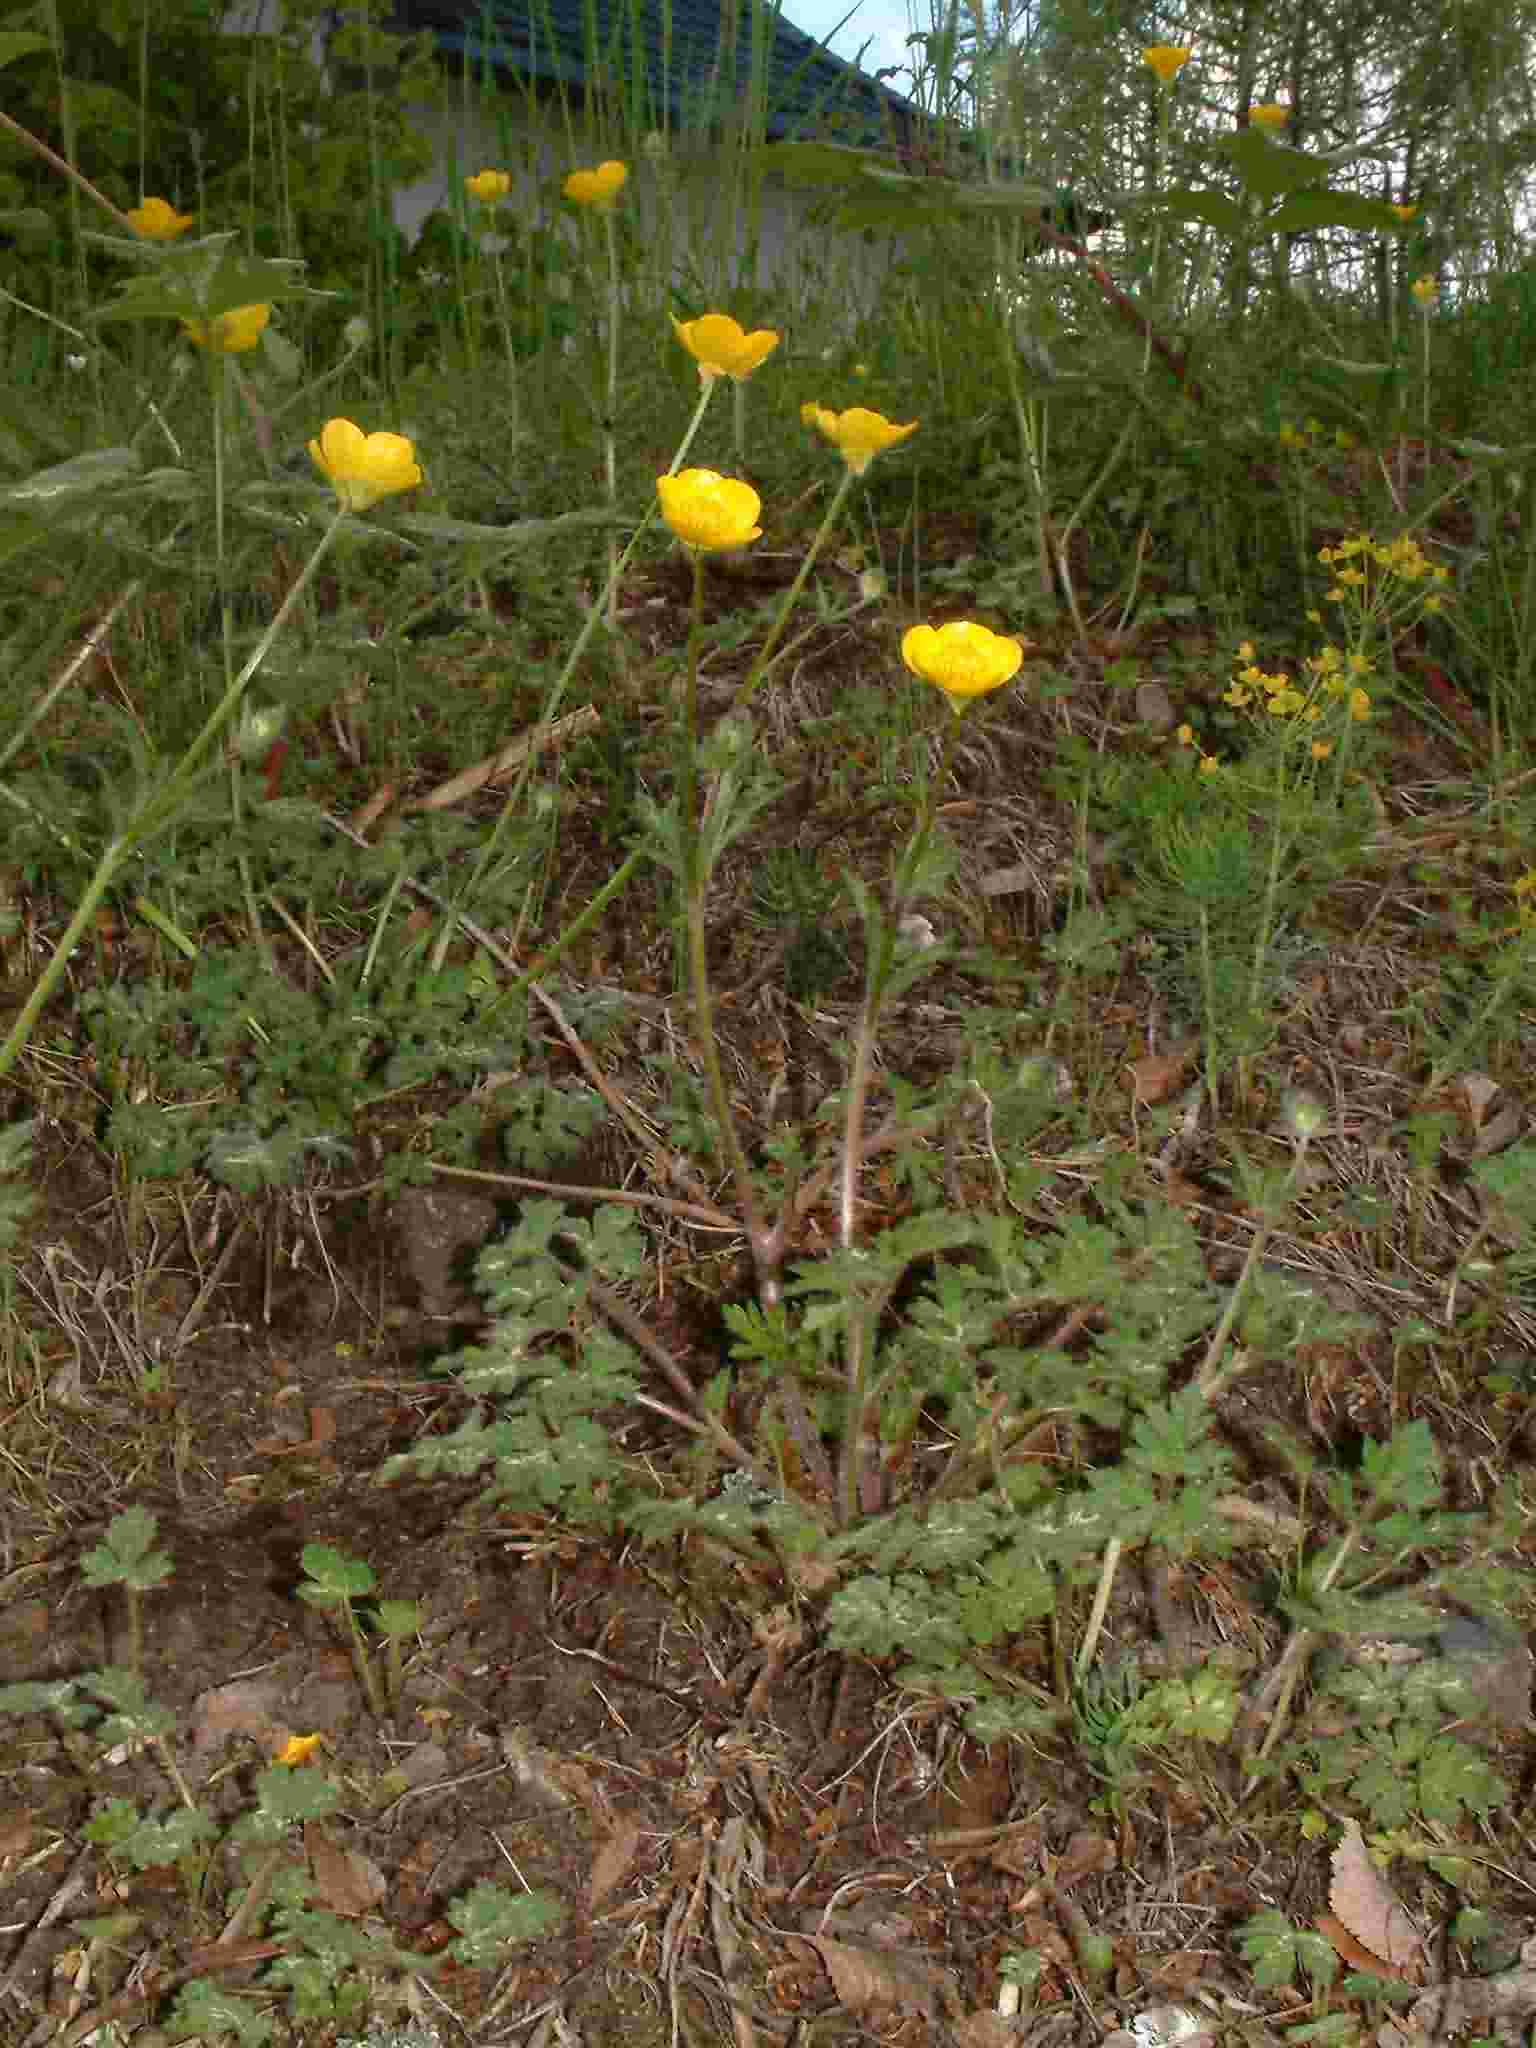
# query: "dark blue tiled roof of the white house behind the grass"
{"points": [[671, 62]]}
